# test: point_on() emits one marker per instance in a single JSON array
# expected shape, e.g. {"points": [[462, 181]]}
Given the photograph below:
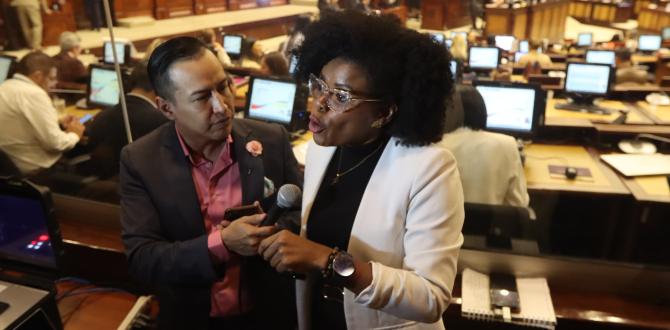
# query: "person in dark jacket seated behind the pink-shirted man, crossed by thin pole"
{"points": [[107, 133]]}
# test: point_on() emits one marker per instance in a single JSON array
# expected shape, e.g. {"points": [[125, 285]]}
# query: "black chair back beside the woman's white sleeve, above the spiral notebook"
{"points": [[500, 227]]}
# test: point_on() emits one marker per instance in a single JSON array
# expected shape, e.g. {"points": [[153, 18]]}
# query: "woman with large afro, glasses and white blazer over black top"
{"points": [[375, 187]]}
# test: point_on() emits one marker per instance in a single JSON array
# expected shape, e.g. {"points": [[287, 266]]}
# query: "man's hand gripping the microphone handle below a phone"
{"points": [[243, 235]]}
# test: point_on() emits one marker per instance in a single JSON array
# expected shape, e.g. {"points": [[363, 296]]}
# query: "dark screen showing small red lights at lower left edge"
{"points": [[30, 235]]}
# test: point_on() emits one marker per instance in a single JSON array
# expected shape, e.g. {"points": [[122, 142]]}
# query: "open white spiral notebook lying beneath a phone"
{"points": [[536, 308]]}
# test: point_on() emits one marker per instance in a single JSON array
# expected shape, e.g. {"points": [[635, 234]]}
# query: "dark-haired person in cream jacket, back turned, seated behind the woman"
{"points": [[489, 163]]}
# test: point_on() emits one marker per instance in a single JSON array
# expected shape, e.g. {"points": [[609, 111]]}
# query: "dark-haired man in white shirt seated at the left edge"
{"points": [[30, 133]]}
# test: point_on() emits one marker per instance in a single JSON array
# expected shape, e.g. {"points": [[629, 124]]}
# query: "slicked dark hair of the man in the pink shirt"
{"points": [[164, 56]]}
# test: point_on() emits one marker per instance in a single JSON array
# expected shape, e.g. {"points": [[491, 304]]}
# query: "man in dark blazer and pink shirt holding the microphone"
{"points": [[176, 183]]}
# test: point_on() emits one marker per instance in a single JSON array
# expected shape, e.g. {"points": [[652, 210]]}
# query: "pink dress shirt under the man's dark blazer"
{"points": [[219, 187]]}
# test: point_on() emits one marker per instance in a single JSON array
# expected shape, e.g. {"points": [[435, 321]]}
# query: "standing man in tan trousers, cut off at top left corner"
{"points": [[30, 20]]}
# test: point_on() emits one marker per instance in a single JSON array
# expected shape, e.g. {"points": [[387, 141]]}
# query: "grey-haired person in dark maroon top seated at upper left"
{"points": [[72, 73]]}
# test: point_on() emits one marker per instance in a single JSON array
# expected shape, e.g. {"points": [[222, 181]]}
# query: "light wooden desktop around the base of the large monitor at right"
{"points": [[556, 117]]}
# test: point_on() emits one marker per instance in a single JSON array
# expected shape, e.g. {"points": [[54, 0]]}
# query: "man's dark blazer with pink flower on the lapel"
{"points": [[164, 233]]}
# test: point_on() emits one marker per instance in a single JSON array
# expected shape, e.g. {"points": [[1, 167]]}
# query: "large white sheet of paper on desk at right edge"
{"points": [[639, 165]]}
